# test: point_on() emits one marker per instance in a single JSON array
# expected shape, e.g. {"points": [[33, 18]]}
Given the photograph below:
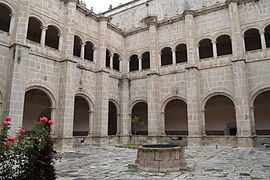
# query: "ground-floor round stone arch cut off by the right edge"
{"points": [[259, 105]]}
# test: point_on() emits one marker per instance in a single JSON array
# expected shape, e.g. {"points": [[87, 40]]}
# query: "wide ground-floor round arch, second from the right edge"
{"points": [[218, 114]]}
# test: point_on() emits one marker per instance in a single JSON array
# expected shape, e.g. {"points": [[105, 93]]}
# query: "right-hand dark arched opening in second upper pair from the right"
{"points": [[224, 45]]}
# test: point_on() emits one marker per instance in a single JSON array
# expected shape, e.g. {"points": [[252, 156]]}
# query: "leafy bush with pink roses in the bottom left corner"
{"points": [[29, 155]]}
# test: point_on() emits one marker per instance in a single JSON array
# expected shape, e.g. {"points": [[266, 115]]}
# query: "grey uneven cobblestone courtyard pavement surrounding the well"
{"points": [[205, 163]]}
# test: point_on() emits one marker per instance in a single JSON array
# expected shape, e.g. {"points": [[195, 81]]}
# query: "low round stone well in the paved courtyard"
{"points": [[161, 158]]}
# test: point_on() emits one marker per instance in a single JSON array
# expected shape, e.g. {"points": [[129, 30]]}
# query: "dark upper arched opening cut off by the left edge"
{"points": [[4, 18]]}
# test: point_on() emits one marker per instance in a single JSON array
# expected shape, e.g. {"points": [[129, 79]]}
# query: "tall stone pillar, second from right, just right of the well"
{"points": [[192, 82]]}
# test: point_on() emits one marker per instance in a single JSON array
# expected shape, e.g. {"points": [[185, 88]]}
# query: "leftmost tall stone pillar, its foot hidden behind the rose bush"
{"points": [[15, 77]]}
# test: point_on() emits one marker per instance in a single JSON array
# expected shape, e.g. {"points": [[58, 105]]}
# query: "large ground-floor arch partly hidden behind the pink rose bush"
{"points": [[38, 101]]}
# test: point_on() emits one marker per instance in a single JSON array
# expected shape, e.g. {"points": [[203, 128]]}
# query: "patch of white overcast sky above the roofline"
{"points": [[103, 5]]}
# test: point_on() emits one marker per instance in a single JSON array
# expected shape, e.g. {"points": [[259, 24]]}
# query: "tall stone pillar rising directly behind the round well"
{"points": [[154, 121]]}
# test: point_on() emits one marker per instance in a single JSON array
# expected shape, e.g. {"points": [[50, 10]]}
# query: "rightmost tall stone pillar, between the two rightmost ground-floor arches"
{"points": [[241, 88]]}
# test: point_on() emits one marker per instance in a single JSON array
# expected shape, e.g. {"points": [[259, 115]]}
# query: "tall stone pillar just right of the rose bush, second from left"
{"points": [[64, 124]]}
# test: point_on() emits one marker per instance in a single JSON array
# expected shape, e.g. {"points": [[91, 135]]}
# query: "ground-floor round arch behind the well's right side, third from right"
{"points": [[174, 115]]}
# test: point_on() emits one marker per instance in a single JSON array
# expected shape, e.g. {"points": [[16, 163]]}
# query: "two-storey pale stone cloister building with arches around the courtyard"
{"points": [[196, 70]]}
